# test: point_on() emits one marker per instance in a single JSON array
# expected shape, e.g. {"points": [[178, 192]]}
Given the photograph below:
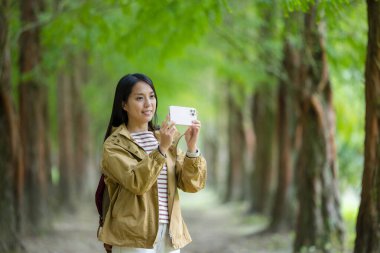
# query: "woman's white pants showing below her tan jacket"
{"points": [[162, 244]]}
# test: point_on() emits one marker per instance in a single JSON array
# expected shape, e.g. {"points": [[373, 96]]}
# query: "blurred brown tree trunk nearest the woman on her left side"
{"points": [[73, 131]]}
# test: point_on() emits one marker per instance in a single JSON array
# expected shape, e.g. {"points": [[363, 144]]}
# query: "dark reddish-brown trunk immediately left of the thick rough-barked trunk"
{"points": [[282, 211]]}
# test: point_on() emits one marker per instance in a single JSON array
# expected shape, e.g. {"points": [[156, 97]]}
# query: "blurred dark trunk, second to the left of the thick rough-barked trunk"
{"points": [[262, 176]]}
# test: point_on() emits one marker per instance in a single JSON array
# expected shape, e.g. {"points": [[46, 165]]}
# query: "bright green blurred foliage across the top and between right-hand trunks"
{"points": [[192, 49]]}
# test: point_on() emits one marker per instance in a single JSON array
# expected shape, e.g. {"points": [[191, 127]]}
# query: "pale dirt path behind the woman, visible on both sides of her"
{"points": [[214, 228]]}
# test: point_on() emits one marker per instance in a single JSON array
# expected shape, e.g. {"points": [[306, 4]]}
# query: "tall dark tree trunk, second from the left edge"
{"points": [[33, 119]]}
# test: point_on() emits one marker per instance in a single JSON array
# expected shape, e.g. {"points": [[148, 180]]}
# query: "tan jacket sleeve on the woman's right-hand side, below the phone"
{"points": [[191, 172]]}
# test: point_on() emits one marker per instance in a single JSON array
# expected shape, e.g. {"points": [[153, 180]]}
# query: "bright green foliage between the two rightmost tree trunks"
{"points": [[346, 40]]}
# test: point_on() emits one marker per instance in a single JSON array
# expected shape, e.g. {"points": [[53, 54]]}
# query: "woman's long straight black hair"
{"points": [[123, 90]]}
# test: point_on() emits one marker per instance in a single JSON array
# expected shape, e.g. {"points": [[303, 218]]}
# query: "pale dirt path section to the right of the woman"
{"points": [[219, 228]]}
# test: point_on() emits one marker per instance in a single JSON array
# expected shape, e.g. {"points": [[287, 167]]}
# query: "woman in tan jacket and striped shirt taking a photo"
{"points": [[143, 170]]}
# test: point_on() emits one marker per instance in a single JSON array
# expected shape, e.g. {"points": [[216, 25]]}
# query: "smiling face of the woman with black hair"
{"points": [[141, 104]]}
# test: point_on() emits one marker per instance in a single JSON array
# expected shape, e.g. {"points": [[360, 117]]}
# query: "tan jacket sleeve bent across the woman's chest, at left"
{"points": [[137, 177]]}
